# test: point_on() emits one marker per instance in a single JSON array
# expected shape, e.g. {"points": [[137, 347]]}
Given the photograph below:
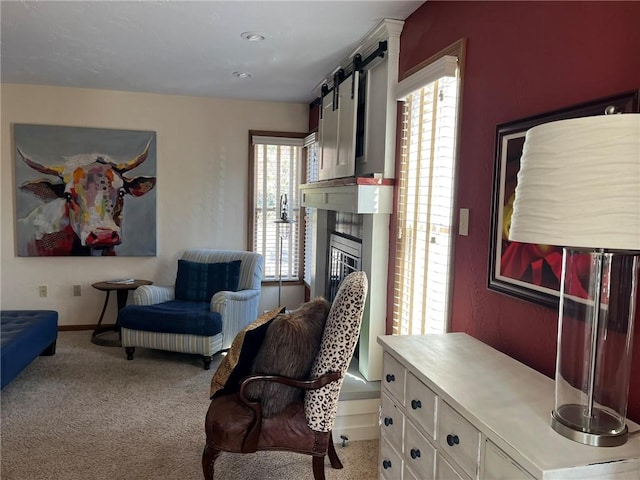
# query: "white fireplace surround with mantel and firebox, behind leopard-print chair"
{"points": [[353, 215]]}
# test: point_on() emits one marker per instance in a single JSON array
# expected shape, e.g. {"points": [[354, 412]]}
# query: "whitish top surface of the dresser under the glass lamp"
{"points": [[506, 400]]}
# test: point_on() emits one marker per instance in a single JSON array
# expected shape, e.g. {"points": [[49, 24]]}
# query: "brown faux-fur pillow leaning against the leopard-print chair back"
{"points": [[290, 347]]}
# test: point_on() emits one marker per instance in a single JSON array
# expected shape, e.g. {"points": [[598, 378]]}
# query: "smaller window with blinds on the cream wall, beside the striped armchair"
{"points": [[274, 162]]}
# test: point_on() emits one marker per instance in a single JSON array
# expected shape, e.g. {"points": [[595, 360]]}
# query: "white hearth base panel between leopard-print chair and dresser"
{"points": [[357, 420]]}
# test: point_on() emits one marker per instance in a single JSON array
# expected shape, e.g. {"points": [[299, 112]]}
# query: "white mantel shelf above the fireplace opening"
{"points": [[365, 195]]}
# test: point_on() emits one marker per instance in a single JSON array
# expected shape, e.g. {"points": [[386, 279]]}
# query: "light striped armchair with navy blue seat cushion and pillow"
{"points": [[215, 296]]}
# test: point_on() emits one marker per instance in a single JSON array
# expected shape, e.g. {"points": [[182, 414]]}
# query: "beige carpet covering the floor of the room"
{"points": [[88, 413]]}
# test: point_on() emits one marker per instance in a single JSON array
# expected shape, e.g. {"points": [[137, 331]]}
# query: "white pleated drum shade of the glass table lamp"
{"points": [[579, 184]]}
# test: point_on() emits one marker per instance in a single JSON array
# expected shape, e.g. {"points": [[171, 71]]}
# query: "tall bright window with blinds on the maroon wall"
{"points": [[425, 199]]}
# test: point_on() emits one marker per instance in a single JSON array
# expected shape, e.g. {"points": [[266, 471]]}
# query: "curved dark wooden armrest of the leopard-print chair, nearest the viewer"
{"points": [[251, 439]]}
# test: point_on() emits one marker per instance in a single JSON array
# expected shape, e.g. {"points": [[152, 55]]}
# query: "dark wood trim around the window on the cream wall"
{"points": [[299, 229]]}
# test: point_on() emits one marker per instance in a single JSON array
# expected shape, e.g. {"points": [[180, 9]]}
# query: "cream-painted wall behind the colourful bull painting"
{"points": [[202, 168]]}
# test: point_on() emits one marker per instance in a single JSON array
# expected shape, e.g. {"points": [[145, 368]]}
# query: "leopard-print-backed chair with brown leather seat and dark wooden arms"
{"points": [[235, 423]]}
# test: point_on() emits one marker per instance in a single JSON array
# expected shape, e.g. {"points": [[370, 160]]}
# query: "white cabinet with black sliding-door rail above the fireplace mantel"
{"points": [[358, 110]]}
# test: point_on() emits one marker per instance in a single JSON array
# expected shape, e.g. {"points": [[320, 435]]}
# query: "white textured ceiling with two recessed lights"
{"points": [[186, 48]]}
